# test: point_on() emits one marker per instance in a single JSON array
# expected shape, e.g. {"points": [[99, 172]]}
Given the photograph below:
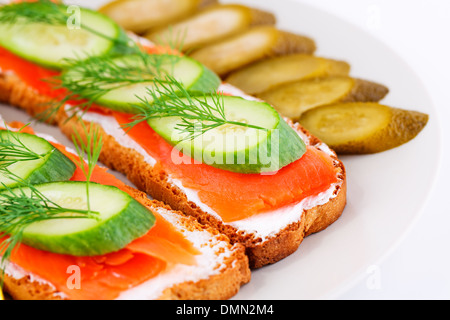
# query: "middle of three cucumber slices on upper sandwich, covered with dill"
{"points": [[112, 81]]}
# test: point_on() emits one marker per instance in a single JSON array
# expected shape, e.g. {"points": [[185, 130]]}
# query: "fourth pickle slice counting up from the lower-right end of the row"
{"points": [[250, 46]]}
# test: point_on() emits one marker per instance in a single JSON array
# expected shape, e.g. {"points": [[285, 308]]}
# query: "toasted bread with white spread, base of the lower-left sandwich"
{"points": [[220, 270]]}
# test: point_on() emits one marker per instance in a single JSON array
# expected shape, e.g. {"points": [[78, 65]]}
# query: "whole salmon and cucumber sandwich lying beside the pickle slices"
{"points": [[175, 130]]}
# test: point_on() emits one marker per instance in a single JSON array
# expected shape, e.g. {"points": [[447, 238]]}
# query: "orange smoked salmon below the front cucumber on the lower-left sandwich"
{"points": [[84, 278]]}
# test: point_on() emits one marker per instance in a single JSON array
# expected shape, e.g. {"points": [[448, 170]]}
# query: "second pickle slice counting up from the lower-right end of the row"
{"points": [[295, 98]]}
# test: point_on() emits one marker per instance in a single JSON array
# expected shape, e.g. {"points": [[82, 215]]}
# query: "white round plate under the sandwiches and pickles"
{"points": [[386, 192]]}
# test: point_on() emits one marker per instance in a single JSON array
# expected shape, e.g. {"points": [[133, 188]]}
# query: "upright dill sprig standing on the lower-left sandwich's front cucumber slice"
{"points": [[89, 149]]}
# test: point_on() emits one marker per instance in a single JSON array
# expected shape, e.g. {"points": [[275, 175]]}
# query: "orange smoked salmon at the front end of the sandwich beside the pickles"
{"points": [[236, 196]]}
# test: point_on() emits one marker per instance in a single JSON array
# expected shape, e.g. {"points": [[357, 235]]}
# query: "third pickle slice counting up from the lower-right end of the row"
{"points": [[269, 73]]}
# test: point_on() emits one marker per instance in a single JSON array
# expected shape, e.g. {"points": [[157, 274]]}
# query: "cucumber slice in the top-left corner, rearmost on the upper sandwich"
{"points": [[48, 44]]}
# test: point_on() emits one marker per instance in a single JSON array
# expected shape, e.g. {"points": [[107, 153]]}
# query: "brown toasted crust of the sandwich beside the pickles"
{"points": [[156, 184]]}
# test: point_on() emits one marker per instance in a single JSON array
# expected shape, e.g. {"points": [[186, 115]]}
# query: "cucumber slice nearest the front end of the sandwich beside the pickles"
{"points": [[237, 148]]}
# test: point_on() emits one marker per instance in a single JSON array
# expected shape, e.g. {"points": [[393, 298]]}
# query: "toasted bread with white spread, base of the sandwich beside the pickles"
{"points": [[262, 248]]}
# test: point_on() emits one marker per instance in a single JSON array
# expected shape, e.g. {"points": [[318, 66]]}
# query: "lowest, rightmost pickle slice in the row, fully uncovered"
{"points": [[363, 128]]}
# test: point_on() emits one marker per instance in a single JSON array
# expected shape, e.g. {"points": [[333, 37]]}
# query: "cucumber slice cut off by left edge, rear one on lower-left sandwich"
{"points": [[32, 159]]}
